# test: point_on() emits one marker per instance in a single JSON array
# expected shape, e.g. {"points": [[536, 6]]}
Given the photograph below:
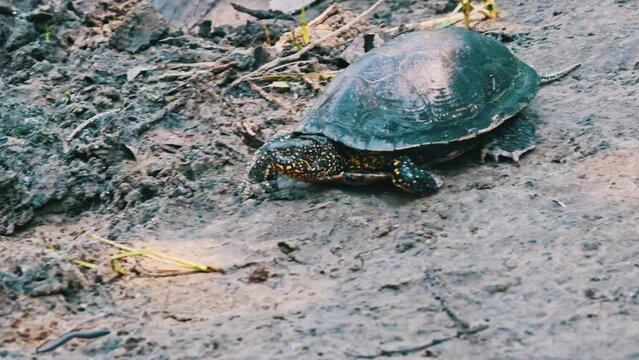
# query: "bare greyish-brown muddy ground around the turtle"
{"points": [[539, 261]]}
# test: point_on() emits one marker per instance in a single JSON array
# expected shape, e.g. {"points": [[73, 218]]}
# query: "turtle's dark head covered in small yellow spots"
{"points": [[298, 156]]}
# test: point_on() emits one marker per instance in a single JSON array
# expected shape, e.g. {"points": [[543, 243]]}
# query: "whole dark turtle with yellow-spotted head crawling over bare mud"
{"points": [[420, 98]]}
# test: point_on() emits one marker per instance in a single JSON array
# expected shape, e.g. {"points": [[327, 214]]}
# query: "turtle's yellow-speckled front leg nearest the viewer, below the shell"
{"points": [[414, 179]]}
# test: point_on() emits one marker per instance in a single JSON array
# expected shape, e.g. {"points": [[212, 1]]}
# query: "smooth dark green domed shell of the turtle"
{"points": [[421, 88]]}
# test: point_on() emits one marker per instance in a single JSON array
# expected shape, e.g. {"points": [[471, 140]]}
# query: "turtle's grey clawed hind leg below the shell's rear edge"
{"points": [[513, 139]]}
